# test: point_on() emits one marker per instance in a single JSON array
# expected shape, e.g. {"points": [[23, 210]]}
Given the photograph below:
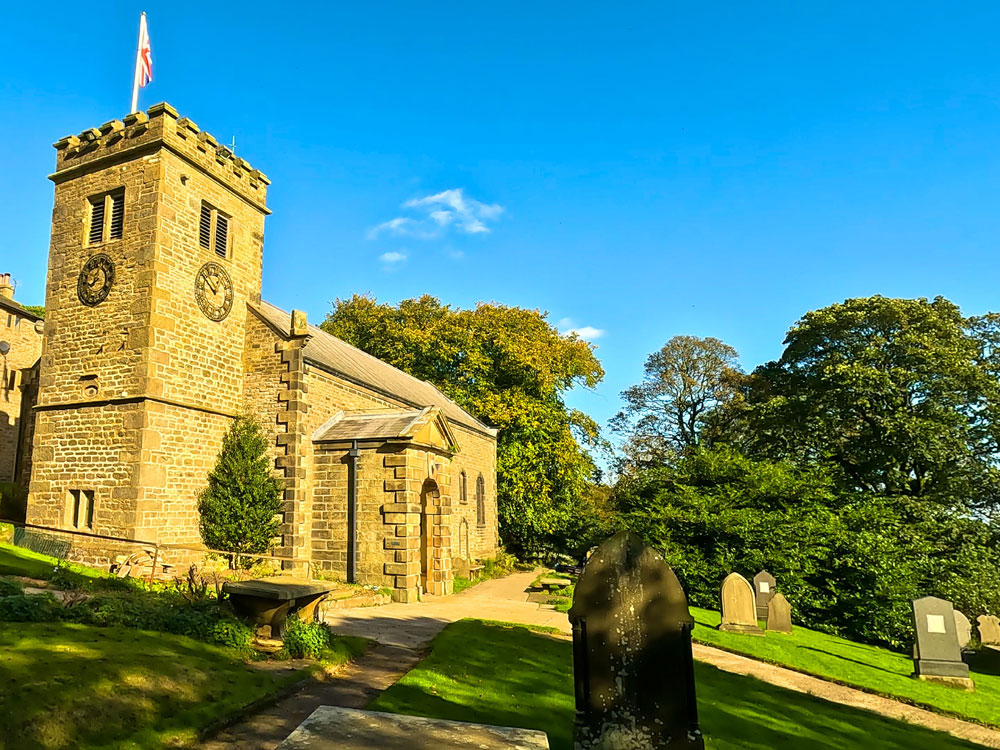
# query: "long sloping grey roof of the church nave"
{"points": [[340, 358]]}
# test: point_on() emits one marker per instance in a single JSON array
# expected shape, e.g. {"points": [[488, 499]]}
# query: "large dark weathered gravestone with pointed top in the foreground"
{"points": [[632, 664]]}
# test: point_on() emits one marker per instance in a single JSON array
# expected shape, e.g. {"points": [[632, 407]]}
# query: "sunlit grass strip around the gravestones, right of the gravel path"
{"points": [[867, 667]]}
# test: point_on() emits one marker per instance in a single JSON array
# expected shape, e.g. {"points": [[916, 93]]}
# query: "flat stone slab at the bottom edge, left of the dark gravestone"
{"points": [[332, 728]]}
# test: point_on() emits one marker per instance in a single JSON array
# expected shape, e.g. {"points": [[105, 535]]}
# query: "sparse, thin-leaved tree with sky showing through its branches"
{"points": [[684, 382]]}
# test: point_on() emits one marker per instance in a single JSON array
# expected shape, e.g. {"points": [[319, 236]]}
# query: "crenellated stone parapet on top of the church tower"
{"points": [[159, 127]]}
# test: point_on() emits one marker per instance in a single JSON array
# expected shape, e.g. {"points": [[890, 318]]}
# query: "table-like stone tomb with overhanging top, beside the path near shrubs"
{"points": [[269, 601]]}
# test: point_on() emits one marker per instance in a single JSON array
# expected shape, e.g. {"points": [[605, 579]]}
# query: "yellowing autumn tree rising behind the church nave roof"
{"points": [[510, 368]]}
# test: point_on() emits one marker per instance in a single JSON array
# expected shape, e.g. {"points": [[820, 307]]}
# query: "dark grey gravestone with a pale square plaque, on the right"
{"points": [[936, 654]]}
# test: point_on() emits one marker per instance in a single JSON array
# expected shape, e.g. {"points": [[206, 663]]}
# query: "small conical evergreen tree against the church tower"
{"points": [[239, 507]]}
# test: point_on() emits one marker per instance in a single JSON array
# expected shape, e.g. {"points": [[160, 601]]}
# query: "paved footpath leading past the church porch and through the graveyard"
{"points": [[404, 631]]}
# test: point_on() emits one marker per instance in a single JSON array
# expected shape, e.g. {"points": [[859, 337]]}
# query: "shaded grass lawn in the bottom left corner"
{"points": [[76, 686]]}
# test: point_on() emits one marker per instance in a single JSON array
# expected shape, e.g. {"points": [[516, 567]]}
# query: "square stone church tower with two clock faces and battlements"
{"points": [[157, 238]]}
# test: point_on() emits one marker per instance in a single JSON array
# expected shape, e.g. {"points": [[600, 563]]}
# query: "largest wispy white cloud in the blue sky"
{"points": [[438, 213]]}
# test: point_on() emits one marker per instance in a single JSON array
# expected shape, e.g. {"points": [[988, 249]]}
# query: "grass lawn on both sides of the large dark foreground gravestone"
{"points": [[494, 673]]}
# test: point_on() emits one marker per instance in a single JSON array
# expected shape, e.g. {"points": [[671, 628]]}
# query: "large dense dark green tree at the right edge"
{"points": [[899, 396]]}
